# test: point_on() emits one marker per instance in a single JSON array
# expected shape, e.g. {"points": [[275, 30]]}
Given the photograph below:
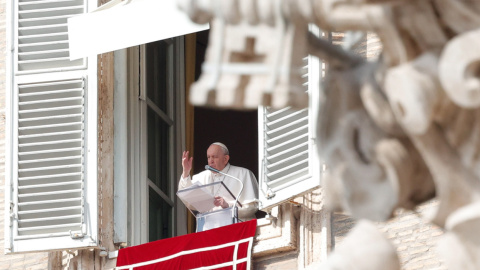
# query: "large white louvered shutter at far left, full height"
{"points": [[51, 127]]}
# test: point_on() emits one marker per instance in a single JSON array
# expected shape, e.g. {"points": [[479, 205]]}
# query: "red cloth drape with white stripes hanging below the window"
{"points": [[156, 253]]}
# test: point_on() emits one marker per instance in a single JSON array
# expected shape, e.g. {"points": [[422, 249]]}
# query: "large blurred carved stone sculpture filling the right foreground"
{"points": [[394, 132]]}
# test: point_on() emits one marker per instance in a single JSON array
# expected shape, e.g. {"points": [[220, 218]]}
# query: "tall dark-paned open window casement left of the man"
{"points": [[152, 127]]}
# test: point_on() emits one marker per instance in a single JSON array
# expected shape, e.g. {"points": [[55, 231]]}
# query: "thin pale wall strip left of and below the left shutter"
{"points": [[22, 261]]}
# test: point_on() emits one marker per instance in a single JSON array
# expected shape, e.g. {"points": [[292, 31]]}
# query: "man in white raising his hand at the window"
{"points": [[218, 157]]}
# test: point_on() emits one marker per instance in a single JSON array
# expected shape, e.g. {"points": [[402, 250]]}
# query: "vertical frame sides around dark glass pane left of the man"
{"points": [[138, 182]]}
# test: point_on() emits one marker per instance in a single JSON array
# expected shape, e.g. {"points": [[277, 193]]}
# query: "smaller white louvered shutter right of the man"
{"points": [[289, 164]]}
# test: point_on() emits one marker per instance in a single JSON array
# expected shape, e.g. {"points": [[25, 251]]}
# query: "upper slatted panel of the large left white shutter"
{"points": [[42, 35]]}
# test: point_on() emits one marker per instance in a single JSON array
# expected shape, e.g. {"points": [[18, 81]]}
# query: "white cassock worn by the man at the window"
{"points": [[248, 197]]}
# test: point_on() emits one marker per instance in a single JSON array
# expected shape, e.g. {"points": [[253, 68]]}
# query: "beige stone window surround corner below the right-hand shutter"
{"points": [[307, 224]]}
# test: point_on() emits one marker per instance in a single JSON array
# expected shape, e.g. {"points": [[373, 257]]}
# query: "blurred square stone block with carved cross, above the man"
{"points": [[254, 55]]}
